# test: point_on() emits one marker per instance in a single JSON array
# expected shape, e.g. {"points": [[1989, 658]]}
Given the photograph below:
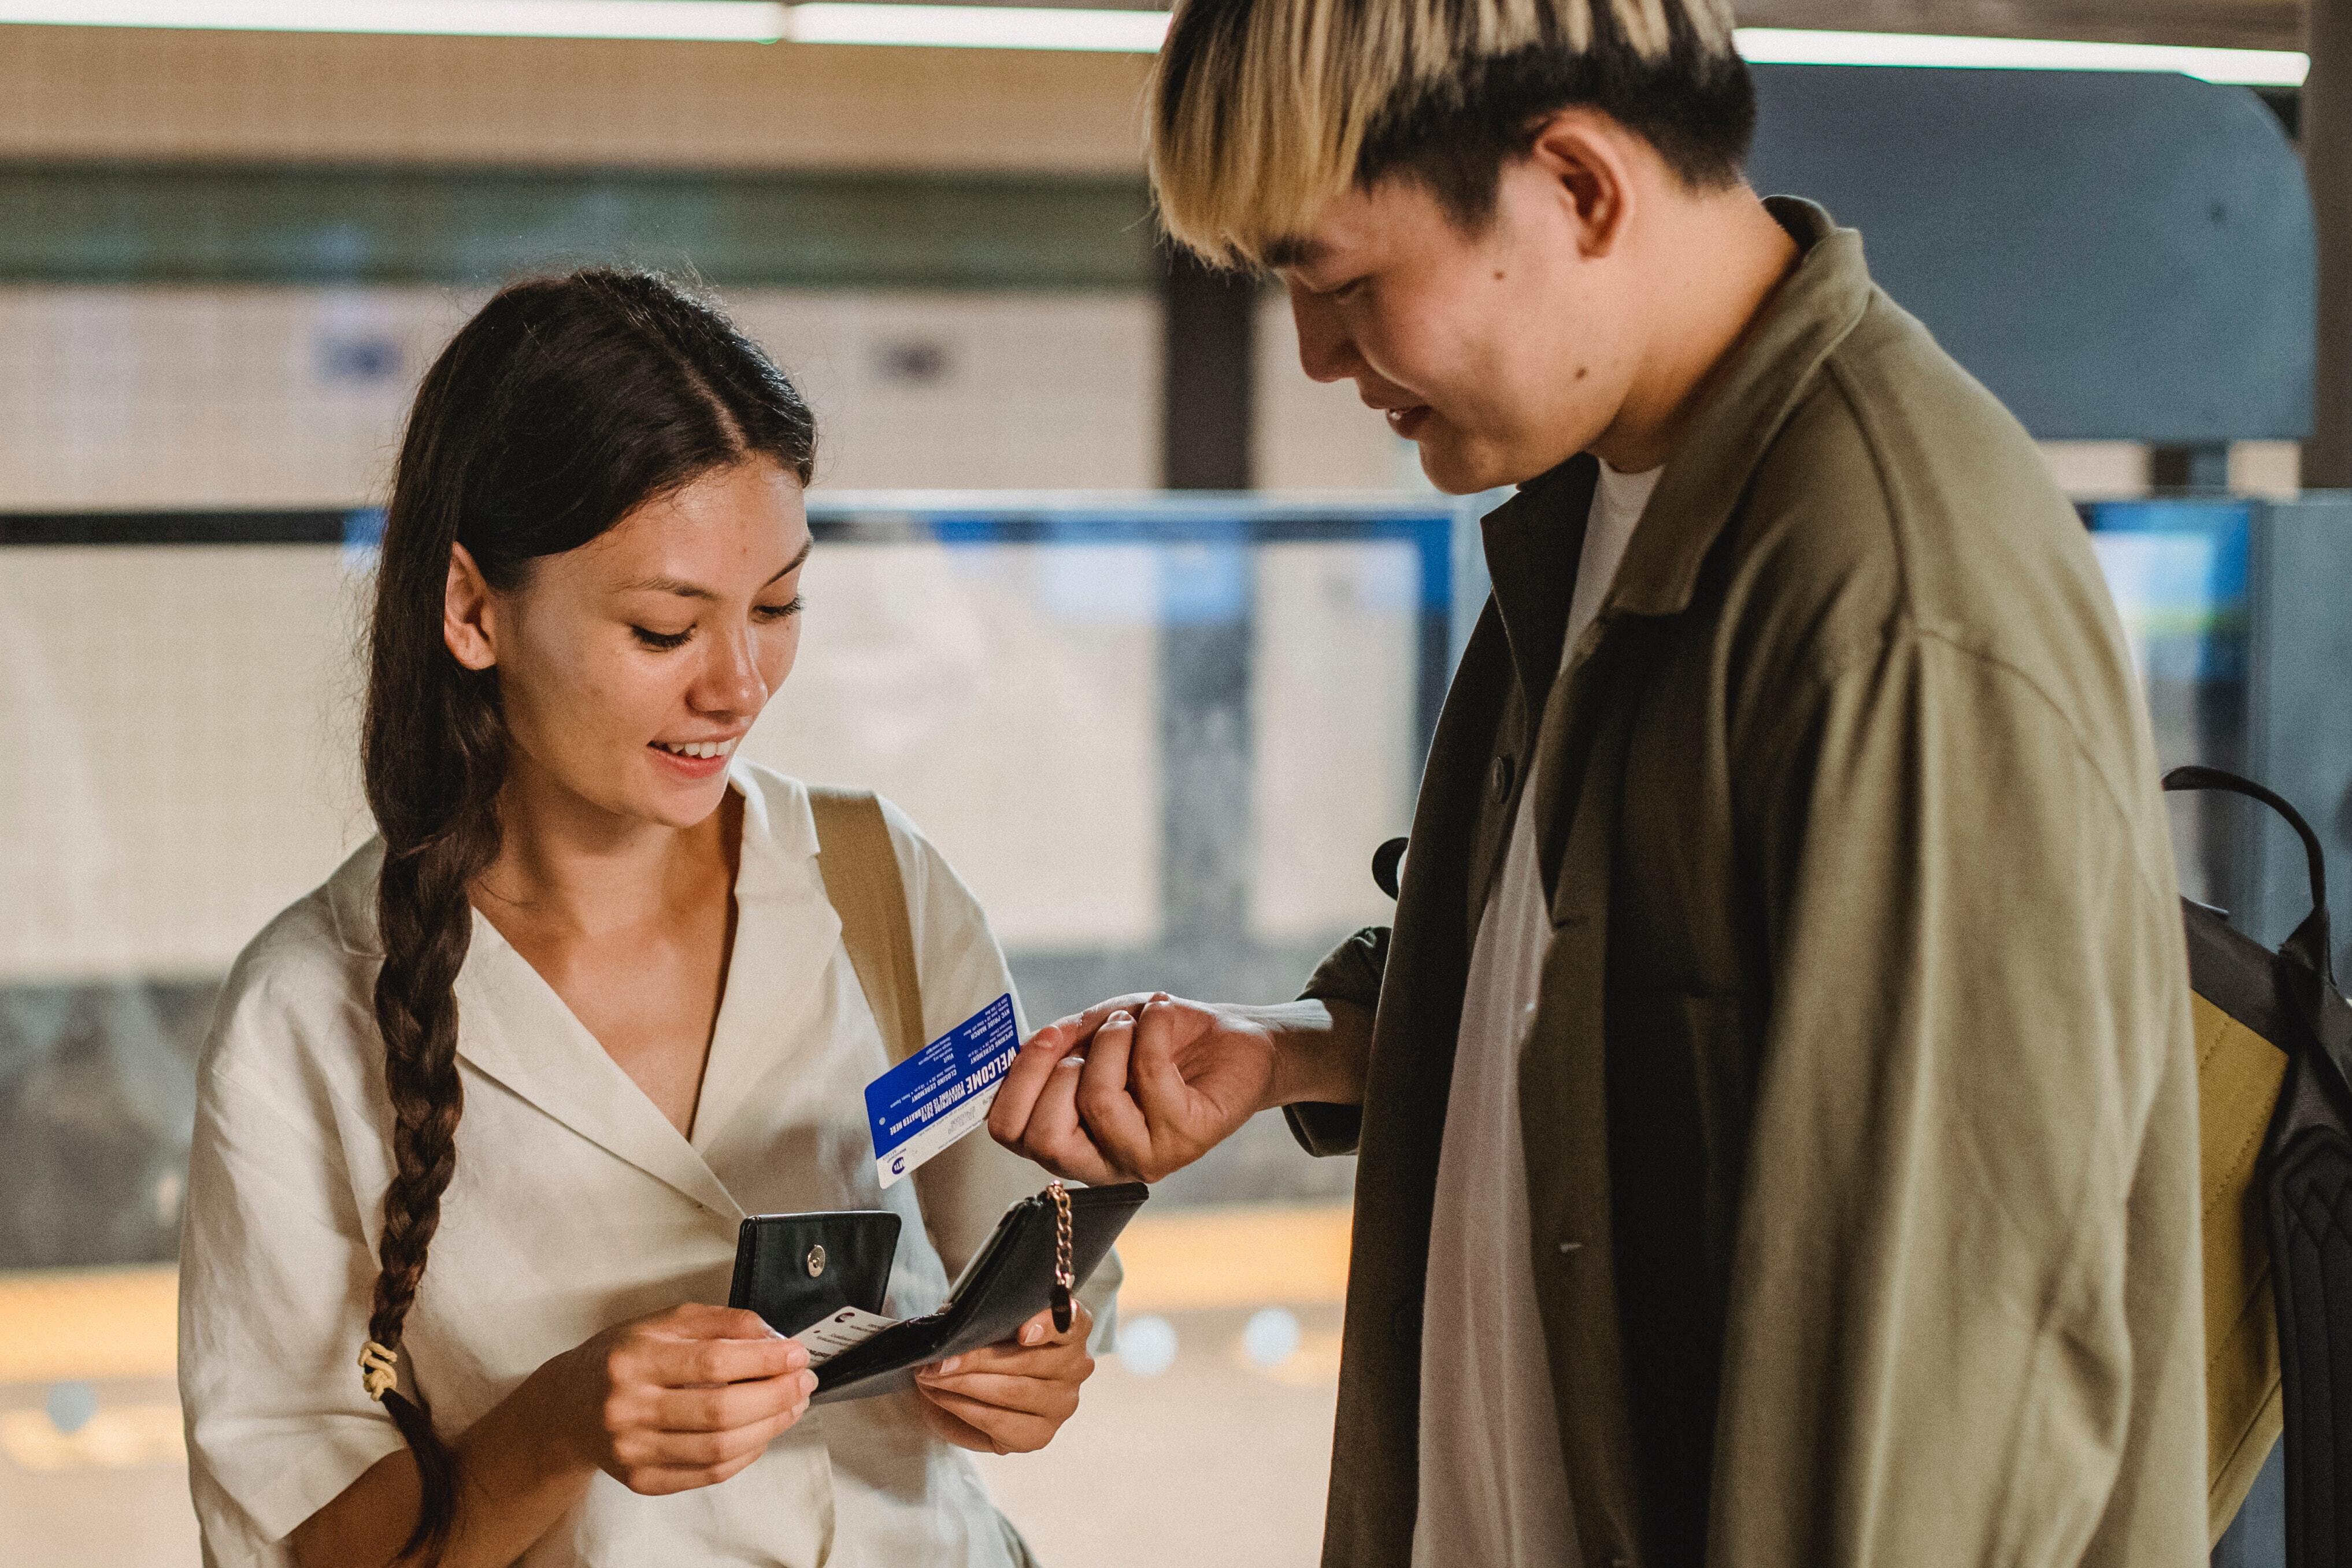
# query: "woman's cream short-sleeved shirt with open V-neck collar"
{"points": [[575, 1207]]}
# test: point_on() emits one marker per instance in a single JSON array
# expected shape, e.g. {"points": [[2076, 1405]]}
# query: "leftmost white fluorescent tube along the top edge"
{"points": [[674, 20]]}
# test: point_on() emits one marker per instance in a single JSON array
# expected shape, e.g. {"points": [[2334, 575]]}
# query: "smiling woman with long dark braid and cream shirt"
{"points": [[488, 1108]]}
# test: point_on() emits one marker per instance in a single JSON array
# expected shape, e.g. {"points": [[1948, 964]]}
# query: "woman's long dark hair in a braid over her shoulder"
{"points": [[552, 415]]}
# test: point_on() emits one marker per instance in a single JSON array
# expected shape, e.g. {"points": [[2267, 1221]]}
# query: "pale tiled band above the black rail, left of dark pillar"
{"points": [[279, 396]]}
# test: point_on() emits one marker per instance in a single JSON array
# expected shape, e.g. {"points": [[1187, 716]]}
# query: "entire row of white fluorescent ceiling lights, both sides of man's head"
{"points": [[1024, 27]]}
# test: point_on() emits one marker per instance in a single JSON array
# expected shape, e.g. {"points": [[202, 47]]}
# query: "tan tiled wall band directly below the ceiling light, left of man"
{"points": [[321, 98]]}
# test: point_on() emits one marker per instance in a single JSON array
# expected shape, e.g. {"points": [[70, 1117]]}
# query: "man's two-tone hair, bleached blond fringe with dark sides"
{"points": [[1267, 109]]}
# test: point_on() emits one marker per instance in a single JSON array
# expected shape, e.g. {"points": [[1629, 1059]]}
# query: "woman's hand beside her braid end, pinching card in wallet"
{"points": [[683, 1398]]}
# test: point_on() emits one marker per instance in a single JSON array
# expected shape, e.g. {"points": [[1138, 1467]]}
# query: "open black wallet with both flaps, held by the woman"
{"points": [[1043, 1249]]}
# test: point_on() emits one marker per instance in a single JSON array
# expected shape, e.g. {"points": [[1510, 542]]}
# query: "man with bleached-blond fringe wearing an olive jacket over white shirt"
{"points": [[1775, 1101]]}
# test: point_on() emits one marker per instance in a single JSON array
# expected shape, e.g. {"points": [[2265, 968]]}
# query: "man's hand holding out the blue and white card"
{"points": [[1135, 1090]]}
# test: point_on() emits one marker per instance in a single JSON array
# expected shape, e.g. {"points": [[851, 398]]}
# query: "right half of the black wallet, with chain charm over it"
{"points": [[1005, 1285]]}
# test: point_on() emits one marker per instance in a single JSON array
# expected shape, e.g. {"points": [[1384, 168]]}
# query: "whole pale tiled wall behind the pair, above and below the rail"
{"points": [[196, 704]]}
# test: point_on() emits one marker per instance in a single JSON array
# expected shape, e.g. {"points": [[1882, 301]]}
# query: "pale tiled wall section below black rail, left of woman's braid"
{"points": [[178, 753]]}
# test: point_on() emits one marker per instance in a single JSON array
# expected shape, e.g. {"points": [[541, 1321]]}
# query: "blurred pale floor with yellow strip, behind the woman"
{"points": [[1217, 1459]]}
